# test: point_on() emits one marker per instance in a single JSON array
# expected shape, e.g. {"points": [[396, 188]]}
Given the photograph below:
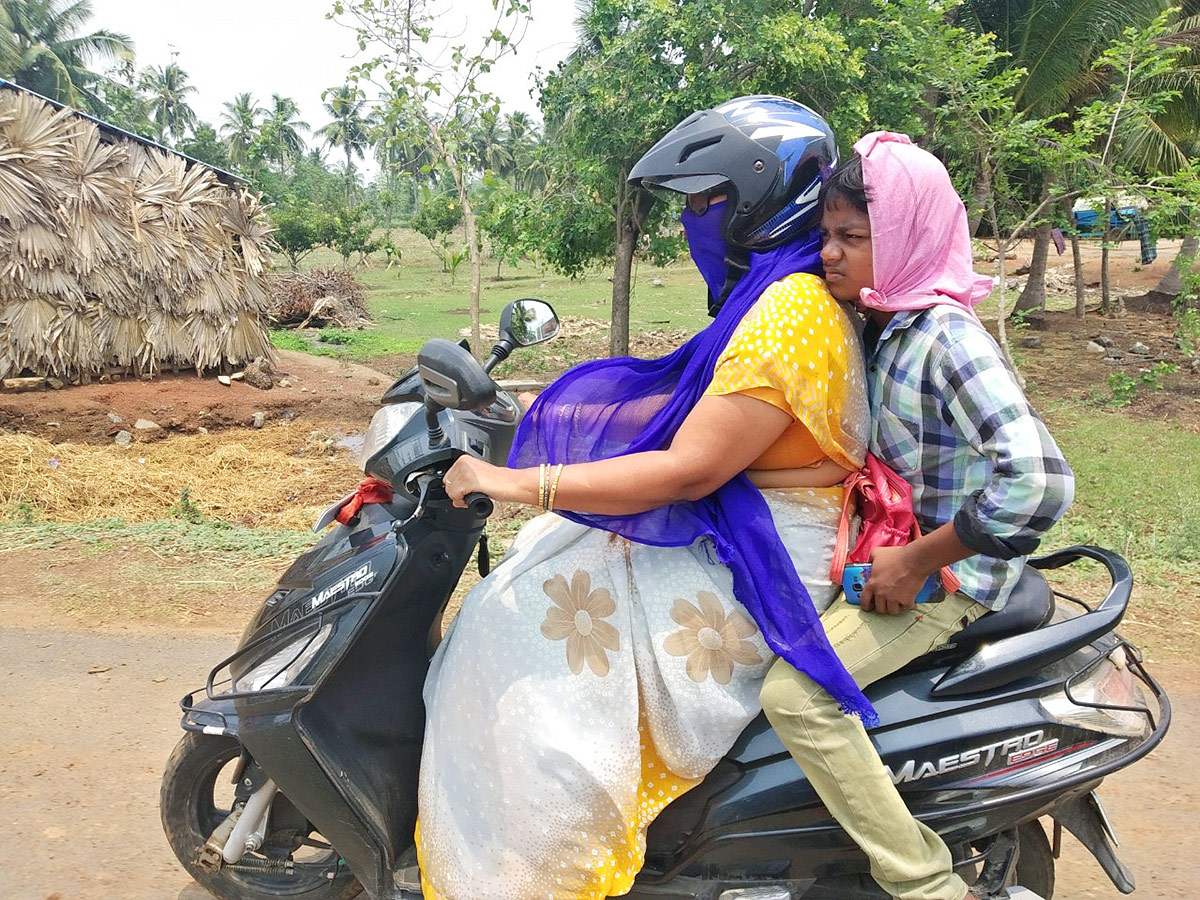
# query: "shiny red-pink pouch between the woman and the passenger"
{"points": [[884, 502]]}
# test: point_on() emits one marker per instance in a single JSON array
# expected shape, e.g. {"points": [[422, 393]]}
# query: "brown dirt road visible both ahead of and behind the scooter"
{"points": [[82, 748]]}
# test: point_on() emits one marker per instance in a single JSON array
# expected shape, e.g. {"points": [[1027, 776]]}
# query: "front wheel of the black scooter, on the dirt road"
{"points": [[295, 862]]}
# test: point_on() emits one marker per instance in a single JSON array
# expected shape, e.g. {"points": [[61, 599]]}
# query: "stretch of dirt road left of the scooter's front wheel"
{"points": [[81, 759]]}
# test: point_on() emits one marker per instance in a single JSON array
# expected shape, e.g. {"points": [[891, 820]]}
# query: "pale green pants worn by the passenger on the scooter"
{"points": [[908, 860]]}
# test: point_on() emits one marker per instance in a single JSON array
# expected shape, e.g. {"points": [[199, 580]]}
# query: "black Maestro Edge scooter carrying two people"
{"points": [[297, 773]]}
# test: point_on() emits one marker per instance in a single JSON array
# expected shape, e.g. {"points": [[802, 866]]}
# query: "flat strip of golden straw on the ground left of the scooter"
{"points": [[256, 479]]}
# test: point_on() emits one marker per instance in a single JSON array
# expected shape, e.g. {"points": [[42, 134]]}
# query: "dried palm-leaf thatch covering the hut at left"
{"points": [[117, 255]]}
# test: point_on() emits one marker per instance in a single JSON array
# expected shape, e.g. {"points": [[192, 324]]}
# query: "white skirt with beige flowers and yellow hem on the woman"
{"points": [[584, 686]]}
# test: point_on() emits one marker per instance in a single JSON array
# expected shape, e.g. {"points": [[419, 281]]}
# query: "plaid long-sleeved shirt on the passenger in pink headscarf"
{"points": [[949, 416]]}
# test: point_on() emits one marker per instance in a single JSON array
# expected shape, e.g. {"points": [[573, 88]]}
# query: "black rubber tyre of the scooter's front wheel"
{"points": [[190, 814]]}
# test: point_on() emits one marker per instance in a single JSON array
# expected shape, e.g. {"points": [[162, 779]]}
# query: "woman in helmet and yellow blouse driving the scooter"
{"points": [[615, 657]]}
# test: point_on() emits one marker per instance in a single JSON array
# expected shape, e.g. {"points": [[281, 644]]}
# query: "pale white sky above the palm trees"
{"points": [[289, 47]]}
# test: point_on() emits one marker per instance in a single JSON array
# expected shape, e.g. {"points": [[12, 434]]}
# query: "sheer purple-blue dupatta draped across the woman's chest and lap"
{"points": [[620, 406]]}
